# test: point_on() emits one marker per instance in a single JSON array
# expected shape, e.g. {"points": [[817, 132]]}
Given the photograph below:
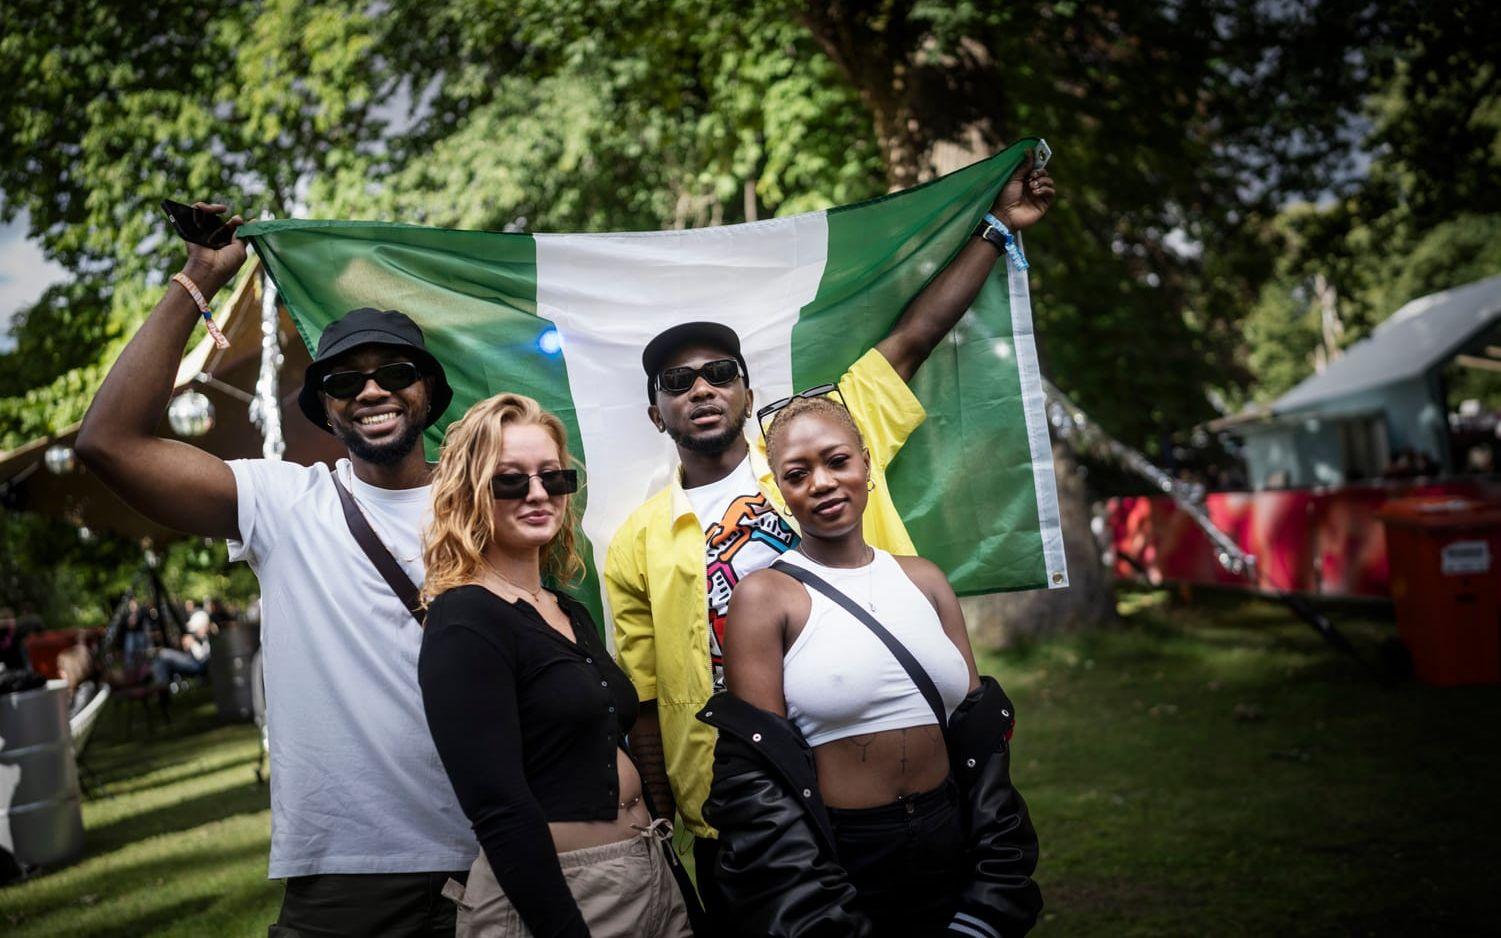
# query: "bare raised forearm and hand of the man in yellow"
{"points": [[930, 317]]}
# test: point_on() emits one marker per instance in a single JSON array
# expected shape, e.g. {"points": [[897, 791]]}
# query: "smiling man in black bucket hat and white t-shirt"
{"points": [[365, 826]]}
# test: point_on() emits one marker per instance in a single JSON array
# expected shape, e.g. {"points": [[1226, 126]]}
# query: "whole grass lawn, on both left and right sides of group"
{"points": [[1205, 771]]}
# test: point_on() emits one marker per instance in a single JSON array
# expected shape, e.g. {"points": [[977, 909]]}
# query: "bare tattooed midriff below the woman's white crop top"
{"points": [[877, 769]]}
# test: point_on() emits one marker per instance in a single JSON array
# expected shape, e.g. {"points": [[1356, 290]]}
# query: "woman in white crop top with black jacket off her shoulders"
{"points": [[862, 771]]}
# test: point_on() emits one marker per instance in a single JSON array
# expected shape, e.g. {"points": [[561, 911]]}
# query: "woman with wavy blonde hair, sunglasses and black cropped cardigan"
{"points": [[525, 703]]}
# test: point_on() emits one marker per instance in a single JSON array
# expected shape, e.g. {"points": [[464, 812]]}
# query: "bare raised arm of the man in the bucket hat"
{"points": [[170, 483]]}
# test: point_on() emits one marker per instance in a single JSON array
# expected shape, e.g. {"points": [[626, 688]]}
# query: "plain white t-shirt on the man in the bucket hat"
{"points": [[356, 783]]}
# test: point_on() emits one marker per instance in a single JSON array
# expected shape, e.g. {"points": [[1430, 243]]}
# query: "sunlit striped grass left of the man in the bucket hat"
{"points": [[176, 835]]}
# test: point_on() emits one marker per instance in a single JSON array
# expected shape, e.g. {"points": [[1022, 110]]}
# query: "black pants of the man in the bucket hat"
{"points": [[349, 906]]}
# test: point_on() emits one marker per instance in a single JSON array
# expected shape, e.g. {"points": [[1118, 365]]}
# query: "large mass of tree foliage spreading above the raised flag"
{"points": [[1176, 124]]}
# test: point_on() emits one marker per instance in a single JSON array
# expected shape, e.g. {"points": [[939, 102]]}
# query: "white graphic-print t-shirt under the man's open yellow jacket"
{"points": [[744, 534]]}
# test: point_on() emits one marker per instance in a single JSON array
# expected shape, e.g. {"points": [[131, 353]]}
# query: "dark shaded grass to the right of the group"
{"points": [[1220, 771]]}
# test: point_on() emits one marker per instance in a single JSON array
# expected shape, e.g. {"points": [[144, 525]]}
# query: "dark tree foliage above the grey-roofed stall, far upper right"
{"points": [[1425, 217]]}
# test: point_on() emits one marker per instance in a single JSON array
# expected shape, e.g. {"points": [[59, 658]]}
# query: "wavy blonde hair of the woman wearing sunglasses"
{"points": [[456, 541]]}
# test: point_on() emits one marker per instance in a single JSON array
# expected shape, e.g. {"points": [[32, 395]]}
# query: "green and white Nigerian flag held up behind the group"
{"points": [[564, 319]]}
